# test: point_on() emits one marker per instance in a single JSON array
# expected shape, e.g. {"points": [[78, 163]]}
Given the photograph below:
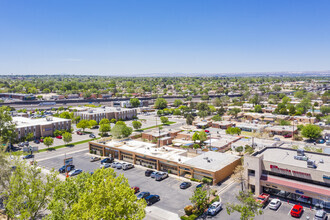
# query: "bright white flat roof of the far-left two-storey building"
{"points": [[24, 122]]}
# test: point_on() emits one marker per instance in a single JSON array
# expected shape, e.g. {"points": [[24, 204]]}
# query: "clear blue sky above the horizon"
{"points": [[168, 36]]}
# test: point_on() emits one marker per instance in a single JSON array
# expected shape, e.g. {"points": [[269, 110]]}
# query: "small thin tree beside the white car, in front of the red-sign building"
{"points": [[248, 206]]}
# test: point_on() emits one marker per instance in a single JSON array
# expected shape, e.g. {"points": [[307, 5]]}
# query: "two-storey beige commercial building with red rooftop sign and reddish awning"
{"points": [[291, 174]]}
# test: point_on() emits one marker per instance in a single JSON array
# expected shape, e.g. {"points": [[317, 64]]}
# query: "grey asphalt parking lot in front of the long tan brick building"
{"points": [[172, 198]]}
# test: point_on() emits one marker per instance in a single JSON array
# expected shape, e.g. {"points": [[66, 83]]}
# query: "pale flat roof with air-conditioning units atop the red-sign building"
{"points": [[286, 156]]}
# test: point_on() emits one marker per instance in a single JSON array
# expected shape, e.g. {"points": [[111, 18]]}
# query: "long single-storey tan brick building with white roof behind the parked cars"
{"points": [[212, 165]]}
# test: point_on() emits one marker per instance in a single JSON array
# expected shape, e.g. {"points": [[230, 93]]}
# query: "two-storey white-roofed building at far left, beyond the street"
{"points": [[41, 127]]}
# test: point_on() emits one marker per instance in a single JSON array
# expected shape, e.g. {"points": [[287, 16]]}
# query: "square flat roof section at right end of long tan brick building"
{"points": [[212, 161]]}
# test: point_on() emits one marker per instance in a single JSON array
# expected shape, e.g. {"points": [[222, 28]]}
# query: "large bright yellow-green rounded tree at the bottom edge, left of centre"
{"points": [[102, 195]]}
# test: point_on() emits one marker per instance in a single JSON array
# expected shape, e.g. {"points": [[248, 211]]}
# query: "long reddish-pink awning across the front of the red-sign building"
{"points": [[296, 185]]}
